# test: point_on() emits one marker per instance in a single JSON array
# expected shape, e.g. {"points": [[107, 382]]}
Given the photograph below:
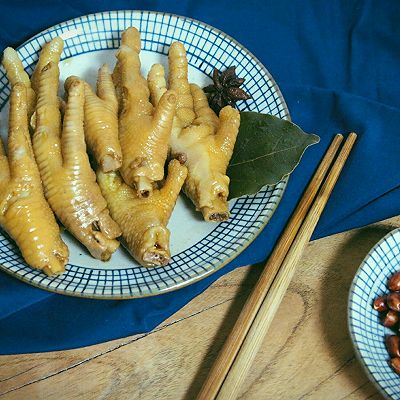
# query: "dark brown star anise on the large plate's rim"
{"points": [[225, 90]]}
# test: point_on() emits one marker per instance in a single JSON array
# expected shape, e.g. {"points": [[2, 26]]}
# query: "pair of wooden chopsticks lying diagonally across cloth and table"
{"points": [[238, 353]]}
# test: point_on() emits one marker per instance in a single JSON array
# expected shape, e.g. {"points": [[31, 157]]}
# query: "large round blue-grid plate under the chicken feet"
{"points": [[198, 248]]}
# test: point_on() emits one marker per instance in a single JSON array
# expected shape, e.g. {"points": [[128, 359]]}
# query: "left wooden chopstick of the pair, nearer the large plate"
{"points": [[235, 340]]}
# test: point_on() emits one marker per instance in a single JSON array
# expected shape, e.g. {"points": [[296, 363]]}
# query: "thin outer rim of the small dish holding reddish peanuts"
{"points": [[350, 301]]}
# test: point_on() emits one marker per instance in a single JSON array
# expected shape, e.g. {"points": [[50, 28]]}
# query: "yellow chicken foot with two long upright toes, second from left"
{"points": [[69, 182]]}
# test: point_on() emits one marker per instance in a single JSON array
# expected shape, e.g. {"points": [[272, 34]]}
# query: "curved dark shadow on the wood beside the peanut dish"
{"points": [[333, 306]]}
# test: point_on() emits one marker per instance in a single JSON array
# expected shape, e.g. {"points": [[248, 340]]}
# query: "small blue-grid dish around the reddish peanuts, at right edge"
{"points": [[367, 332]]}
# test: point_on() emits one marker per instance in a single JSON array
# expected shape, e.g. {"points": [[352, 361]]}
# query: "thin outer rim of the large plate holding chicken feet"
{"points": [[195, 279]]}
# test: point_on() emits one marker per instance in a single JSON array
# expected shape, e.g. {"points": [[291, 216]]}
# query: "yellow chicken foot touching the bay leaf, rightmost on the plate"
{"points": [[200, 139]]}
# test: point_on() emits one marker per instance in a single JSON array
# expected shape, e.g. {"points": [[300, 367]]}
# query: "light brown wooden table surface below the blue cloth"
{"points": [[306, 355]]}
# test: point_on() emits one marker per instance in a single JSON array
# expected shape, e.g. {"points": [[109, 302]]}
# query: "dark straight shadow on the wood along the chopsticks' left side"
{"points": [[225, 328]]}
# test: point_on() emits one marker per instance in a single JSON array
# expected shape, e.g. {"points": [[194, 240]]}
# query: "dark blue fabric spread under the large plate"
{"points": [[336, 64]]}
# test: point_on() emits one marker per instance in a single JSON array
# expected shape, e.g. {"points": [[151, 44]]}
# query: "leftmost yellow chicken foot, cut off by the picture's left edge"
{"points": [[24, 212]]}
